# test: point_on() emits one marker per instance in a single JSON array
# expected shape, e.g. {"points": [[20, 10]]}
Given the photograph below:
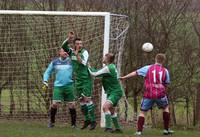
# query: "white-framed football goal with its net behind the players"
{"points": [[29, 40]]}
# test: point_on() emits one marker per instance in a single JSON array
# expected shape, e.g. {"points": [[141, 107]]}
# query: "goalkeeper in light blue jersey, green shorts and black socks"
{"points": [[63, 86]]}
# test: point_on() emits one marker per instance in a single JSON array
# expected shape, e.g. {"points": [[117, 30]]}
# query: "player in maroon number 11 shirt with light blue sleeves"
{"points": [[156, 80]]}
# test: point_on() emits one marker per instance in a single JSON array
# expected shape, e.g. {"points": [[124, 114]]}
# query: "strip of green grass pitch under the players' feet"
{"points": [[39, 129]]}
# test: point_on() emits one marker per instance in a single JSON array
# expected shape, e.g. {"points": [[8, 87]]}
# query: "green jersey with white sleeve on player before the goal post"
{"points": [[110, 80]]}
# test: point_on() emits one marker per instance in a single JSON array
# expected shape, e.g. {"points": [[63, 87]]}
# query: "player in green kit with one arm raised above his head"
{"points": [[83, 80]]}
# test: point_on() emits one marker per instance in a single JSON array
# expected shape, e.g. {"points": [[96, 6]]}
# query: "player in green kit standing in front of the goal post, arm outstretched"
{"points": [[113, 90]]}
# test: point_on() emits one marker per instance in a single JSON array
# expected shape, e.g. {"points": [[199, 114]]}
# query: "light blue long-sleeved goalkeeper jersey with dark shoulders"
{"points": [[63, 72]]}
